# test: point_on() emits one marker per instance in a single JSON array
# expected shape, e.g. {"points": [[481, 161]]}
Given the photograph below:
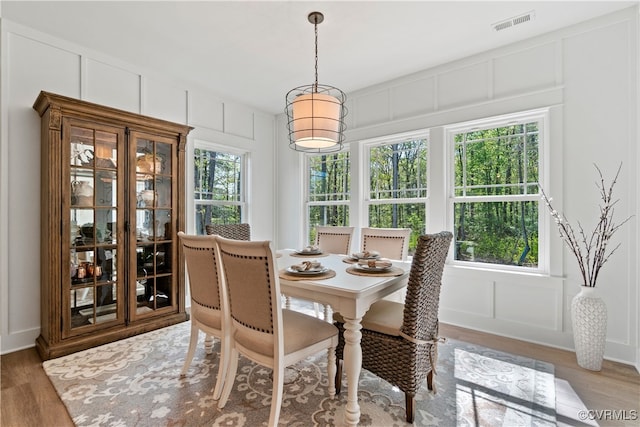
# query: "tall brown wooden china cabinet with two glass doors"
{"points": [[112, 203]]}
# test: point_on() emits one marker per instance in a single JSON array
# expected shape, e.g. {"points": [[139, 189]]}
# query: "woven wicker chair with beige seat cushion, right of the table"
{"points": [[399, 341]]}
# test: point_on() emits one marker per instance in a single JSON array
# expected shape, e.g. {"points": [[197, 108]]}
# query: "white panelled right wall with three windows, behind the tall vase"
{"points": [[588, 76]]}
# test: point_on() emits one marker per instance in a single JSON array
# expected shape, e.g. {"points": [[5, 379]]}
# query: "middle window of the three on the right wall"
{"points": [[397, 184]]}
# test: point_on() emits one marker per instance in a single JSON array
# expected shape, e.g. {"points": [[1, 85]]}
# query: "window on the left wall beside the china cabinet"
{"points": [[219, 190]]}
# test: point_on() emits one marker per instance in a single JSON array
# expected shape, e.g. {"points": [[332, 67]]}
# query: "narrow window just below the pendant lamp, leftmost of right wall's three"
{"points": [[329, 191]]}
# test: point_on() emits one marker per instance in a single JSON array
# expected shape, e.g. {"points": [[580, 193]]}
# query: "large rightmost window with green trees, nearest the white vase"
{"points": [[495, 197]]}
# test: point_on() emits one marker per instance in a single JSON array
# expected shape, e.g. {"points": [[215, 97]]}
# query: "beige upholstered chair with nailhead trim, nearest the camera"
{"points": [[261, 330]]}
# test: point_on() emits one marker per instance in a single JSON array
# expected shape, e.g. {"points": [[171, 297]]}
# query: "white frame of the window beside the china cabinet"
{"points": [[244, 179]]}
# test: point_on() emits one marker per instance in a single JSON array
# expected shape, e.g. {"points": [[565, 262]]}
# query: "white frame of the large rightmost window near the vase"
{"points": [[542, 116]]}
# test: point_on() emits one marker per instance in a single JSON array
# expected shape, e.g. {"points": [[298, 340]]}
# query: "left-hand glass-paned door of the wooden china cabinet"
{"points": [[95, 293]]}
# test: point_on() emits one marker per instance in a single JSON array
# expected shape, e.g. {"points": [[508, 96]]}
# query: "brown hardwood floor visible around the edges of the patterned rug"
{"points": [[28, 398]]}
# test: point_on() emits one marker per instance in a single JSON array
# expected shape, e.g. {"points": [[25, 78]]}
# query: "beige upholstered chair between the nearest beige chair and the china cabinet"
{"points": [[208, 301]]}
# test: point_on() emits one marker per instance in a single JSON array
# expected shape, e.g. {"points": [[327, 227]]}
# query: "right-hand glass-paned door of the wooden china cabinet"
{"points": [[155, 287]]}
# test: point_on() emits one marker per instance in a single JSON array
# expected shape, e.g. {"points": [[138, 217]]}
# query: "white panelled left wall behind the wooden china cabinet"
{"points": [[31, 62]]}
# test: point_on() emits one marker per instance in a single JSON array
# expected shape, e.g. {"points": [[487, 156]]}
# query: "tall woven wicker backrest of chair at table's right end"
{"points": [[423, 290]]}
